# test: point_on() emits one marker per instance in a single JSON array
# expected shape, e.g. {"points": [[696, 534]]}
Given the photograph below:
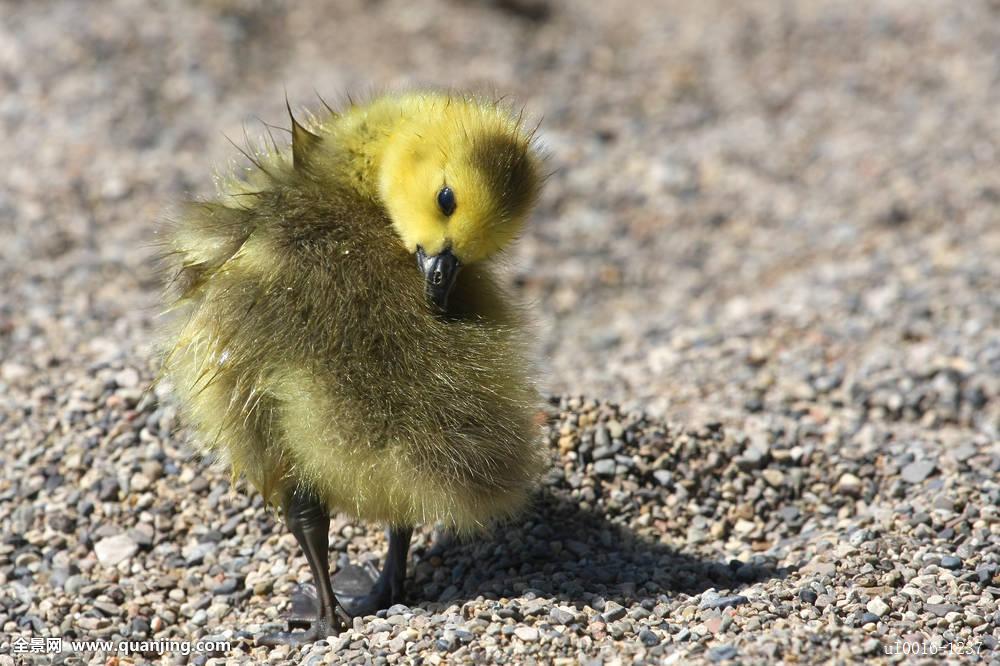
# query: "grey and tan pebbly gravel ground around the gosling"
{"points": [[768, 259]]}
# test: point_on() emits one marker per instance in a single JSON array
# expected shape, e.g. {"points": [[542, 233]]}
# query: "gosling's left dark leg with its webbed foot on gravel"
{"points": [[309, 521]]}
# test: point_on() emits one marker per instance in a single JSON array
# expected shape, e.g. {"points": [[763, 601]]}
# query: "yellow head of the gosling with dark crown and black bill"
{"points": [[458, 185]]}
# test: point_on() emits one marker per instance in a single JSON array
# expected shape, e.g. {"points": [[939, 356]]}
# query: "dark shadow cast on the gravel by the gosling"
{"points": [[577, 556]]}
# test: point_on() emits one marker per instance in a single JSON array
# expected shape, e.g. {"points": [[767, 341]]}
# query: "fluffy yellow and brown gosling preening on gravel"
{"points": [[346, 345]]}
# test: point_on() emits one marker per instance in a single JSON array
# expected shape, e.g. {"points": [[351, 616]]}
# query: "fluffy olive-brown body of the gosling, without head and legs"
{"points": [[311, 358]]}
